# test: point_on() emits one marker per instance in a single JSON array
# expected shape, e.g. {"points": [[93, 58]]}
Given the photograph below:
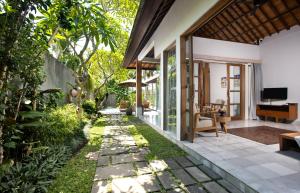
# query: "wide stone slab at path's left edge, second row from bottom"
{"points": [[115, 171]]}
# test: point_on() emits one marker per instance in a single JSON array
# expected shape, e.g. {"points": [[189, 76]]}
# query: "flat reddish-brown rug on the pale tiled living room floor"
{"points": [[262, 134]]}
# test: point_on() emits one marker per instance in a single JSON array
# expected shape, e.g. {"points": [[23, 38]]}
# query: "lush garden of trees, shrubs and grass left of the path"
{"points": [[46, 134]]}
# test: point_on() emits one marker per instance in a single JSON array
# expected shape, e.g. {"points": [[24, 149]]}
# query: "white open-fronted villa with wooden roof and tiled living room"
{"points": [[203, 54]]}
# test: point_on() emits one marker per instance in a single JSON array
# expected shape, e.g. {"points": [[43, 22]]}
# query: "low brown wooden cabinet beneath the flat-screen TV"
{"points": [[287, 112]]}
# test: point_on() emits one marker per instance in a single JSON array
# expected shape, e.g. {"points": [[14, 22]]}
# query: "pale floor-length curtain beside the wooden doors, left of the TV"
{"points": [[256, 87]]}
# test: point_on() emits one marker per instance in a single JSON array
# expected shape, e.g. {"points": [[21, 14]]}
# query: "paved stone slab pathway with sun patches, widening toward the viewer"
{"points": [[122, 167]]}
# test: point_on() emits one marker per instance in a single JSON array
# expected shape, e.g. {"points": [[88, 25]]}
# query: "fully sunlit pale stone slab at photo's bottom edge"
{"points": [[127, 185]]}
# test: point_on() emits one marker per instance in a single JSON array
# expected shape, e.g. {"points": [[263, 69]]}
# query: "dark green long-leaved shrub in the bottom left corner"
{"points": [[35, 173]]}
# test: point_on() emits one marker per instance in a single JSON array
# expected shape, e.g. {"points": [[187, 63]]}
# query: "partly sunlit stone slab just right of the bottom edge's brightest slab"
{"points": [[148, 182]]}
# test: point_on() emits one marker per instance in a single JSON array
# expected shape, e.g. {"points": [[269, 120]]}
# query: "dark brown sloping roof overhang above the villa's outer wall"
{"points": [[149, 16]]}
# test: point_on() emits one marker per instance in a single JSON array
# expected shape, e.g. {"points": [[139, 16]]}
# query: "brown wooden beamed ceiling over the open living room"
{"points": [[243, 22]]}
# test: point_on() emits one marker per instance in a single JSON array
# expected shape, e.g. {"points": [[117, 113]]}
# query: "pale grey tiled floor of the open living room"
{"points": [[262, 167]]}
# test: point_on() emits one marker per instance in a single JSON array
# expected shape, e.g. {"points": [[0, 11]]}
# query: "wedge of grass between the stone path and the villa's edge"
{"points": [[160, 147]]}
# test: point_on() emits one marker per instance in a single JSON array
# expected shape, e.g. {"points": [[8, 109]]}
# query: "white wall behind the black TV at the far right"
{"points": [[280, 56]]}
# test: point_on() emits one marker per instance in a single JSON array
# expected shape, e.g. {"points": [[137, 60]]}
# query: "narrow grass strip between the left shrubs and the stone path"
{"points": [[77, 175]]}
